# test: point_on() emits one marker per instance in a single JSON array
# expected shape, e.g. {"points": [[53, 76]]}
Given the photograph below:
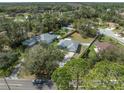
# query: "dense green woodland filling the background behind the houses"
{"points": [[85, 18]]}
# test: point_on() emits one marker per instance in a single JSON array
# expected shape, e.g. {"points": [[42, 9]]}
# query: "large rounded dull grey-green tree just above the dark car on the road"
{"points": [[43, 60]]}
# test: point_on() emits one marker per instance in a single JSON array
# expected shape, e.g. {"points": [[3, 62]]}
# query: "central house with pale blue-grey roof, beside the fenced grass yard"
{"points": [[69, 44]]}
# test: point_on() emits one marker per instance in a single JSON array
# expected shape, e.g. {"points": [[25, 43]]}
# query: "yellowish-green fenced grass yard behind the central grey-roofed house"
{"points": [[77, 37]]}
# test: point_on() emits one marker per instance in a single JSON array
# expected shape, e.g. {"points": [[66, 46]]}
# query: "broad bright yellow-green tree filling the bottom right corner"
{"points": [[105, 75]]}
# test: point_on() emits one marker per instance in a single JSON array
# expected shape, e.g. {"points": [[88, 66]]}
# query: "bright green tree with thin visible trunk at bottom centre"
{"points": [[78, 68]]}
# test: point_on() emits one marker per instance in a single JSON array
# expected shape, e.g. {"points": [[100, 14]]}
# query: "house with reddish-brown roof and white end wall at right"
{"points": [[101, 46]]}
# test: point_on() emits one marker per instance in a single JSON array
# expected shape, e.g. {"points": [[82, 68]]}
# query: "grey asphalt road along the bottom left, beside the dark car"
{"points": [[21, 84]]}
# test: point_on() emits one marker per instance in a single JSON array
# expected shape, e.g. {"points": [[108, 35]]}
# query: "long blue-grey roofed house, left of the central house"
{"points": [[46, 38]]}
